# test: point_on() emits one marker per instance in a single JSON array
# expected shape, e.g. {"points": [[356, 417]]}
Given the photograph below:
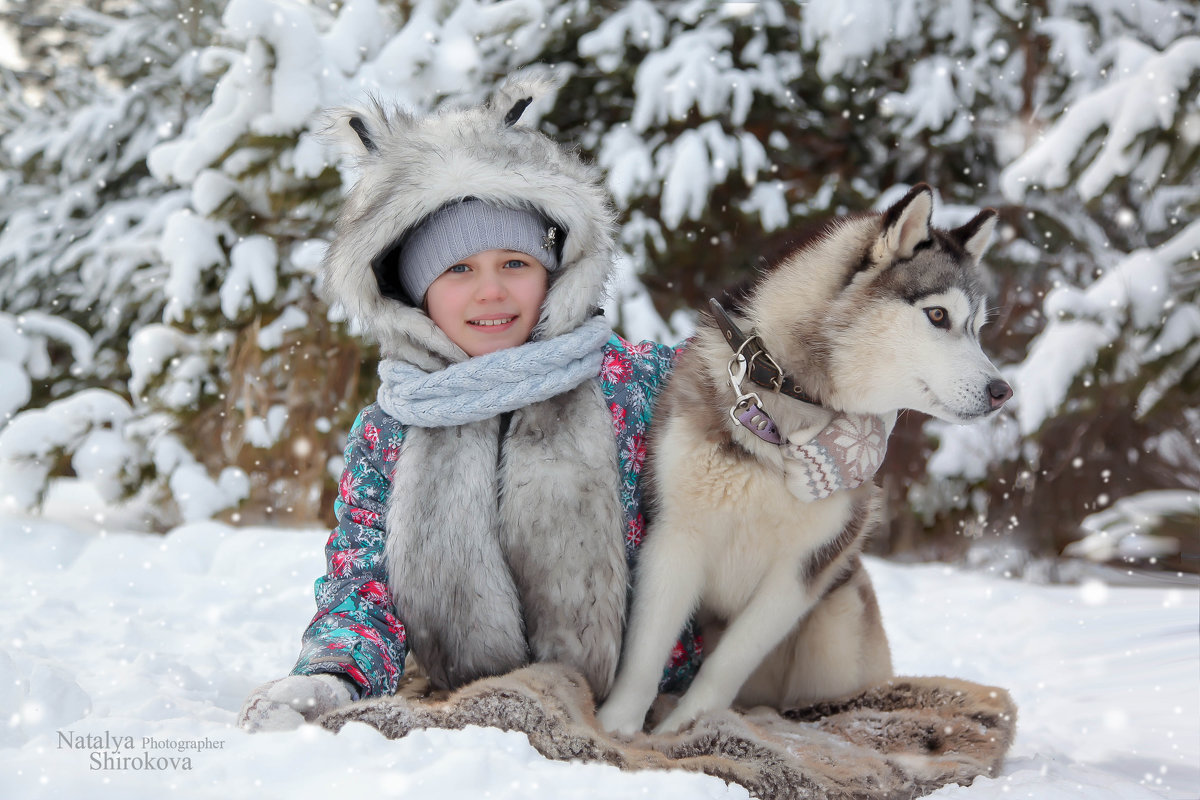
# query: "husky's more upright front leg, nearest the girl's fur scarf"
{"points": [[668, 587]]}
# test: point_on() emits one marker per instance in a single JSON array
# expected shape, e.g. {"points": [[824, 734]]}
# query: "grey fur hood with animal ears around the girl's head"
{"points": [[412, 166]]}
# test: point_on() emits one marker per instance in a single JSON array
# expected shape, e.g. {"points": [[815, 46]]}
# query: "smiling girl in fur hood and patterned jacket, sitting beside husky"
{"points": [[491, 507]]}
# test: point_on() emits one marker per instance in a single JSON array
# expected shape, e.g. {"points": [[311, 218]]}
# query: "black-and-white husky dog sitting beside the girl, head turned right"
{"points": [[878, 314]]}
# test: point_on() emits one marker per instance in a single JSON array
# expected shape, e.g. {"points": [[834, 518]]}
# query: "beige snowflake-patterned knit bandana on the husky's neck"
{"points": [[844, 455]]}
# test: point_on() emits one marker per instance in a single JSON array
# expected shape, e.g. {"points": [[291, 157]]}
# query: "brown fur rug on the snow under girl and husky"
{"points": [[902, 739]]}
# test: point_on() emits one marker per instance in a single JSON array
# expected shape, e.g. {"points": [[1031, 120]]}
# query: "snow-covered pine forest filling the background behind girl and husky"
{"points": [[166, 200]]}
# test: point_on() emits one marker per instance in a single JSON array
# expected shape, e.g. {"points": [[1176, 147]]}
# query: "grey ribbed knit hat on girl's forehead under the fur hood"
{"points": [[461, 230]]}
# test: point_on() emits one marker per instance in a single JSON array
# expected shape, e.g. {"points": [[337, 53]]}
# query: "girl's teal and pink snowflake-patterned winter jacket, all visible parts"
{"points": [[357, 631]]}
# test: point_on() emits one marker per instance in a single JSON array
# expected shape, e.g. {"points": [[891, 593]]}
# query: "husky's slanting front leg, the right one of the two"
{"points": [[775, 610]]}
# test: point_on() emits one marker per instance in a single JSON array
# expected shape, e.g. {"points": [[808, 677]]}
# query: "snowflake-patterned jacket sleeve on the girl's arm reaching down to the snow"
{"points": [[356, 633]]}
